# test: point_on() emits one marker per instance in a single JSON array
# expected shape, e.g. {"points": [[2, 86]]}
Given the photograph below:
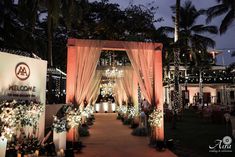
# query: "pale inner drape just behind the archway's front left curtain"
{"points": [[93, 91]]}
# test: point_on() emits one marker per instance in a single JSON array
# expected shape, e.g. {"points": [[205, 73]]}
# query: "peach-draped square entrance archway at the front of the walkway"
{"points": [[146, 60]]}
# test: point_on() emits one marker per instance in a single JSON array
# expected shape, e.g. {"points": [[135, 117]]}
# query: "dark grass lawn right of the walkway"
{"points": [[193, 135]]}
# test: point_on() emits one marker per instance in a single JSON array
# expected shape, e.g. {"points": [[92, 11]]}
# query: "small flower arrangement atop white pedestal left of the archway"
{"points": [[59, 125]]}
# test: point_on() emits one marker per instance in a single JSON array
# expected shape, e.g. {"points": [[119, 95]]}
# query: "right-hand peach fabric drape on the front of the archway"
{"points": [[141, 57]]}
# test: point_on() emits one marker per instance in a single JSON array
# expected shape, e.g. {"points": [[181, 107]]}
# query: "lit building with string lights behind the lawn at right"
{"points": [[212, 86]]}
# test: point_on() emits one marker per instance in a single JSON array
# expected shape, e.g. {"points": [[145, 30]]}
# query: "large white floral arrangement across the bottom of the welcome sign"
{"points": [[15, 115]]}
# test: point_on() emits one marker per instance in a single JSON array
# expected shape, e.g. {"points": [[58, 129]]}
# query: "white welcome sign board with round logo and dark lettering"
{"points": [[23, 78]]}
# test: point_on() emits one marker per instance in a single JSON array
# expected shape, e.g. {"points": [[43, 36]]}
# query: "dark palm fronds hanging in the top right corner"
{"points": [[226, 7]]}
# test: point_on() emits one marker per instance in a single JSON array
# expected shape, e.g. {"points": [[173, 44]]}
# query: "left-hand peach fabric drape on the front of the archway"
{"points": [[88, 53]]}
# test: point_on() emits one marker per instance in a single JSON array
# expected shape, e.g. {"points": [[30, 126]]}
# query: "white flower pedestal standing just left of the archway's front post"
{"points": [[59, 140]]}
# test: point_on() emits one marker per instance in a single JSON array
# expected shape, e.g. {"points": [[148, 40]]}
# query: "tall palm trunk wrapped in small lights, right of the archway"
{"points": [[176, 64]]}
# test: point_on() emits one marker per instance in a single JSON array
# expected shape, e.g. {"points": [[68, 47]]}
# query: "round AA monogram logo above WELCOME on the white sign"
{"points": [[22, 71]]}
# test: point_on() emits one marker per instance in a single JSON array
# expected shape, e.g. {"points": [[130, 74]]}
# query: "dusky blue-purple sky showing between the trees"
{"points": [[224, 42]]}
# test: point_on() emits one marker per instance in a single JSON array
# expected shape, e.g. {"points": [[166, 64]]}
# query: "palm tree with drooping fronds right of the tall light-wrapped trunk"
{"points": [[194, 43]]}
